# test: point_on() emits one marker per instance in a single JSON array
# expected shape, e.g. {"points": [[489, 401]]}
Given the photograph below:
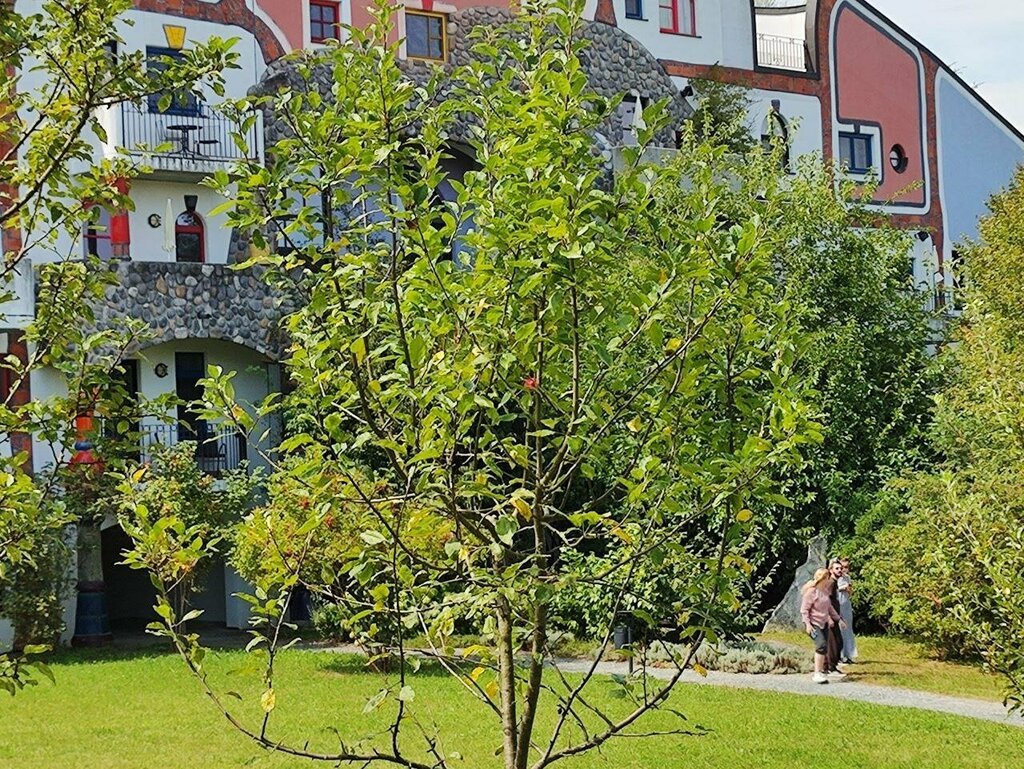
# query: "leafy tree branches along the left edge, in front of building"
{"points": [[58, 78]]}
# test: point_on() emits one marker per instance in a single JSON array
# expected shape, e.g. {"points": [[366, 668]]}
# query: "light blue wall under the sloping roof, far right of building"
{"points": [[978, 157]]}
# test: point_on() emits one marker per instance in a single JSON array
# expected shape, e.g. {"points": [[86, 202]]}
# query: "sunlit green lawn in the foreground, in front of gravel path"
{"points": [[127, 711]]}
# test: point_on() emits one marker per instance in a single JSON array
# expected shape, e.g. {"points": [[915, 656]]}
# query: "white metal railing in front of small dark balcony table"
{"points": [[196, 137]]}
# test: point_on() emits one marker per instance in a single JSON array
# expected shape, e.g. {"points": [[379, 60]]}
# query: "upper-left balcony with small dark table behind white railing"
{"points": [[192, 143]]}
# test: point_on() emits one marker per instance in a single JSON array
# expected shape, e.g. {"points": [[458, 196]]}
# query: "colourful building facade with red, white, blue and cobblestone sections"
{"points": [[835, 77]]}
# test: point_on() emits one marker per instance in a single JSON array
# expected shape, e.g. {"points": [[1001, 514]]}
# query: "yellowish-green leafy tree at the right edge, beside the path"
{"points": [[950, 570]]}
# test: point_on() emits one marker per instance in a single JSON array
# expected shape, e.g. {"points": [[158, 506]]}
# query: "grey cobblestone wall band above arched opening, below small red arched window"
{"points": [[197, 302]]}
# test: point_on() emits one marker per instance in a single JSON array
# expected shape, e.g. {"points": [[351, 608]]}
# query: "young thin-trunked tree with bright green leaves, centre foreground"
{"points": [[607, 366]]}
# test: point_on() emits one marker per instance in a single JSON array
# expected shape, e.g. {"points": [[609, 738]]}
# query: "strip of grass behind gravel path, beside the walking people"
{"points": [[895, 662]]}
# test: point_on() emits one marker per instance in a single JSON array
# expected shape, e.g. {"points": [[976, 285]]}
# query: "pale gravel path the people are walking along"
{"points": [[844, 690]]}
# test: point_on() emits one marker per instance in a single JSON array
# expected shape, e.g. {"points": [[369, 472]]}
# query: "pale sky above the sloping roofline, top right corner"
{"points": [[982, 40]]}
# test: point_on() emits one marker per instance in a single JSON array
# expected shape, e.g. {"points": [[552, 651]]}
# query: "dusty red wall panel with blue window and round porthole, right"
{"points": [[879, 82]]}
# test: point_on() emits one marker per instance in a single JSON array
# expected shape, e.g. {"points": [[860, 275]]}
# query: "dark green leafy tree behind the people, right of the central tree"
{"points": [[869, 356]]}
